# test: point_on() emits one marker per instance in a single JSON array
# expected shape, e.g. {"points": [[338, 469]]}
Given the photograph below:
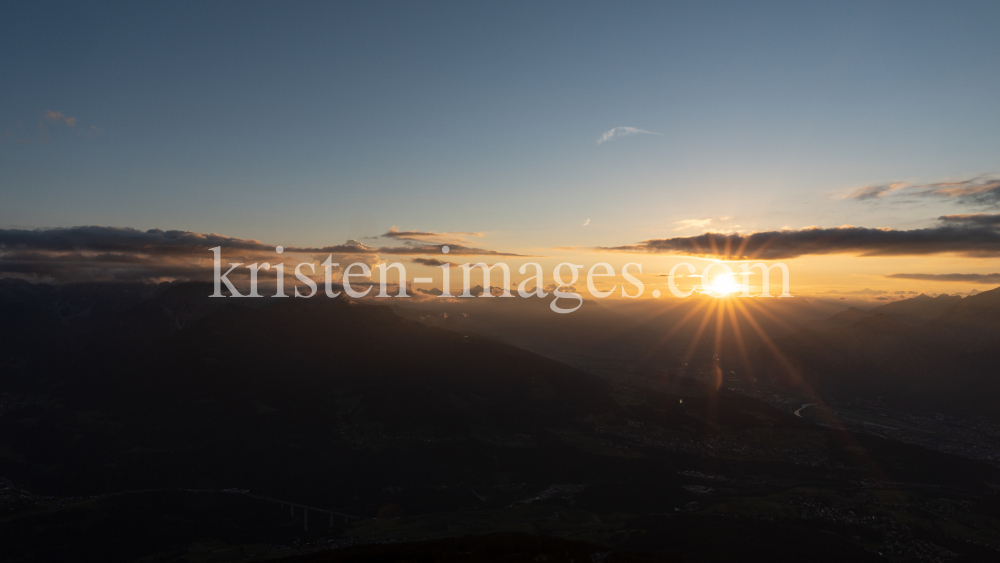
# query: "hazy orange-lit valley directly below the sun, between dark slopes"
{"points": [[617, 338]]}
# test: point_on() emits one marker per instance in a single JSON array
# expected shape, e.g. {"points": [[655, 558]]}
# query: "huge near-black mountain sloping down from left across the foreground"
{"points": [[184, 428]]}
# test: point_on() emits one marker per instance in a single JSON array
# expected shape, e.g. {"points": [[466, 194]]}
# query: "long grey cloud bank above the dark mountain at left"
{"points": [[97, 253]]}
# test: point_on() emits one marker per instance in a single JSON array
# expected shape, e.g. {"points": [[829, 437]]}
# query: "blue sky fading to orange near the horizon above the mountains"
{"points": [[550, 128]]}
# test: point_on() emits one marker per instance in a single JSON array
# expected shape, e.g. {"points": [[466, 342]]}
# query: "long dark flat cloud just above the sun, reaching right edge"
{"points": [[965, 239]]}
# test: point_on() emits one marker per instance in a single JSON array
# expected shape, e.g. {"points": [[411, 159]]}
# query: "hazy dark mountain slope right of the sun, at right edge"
{"points": [[948, 362]]}
